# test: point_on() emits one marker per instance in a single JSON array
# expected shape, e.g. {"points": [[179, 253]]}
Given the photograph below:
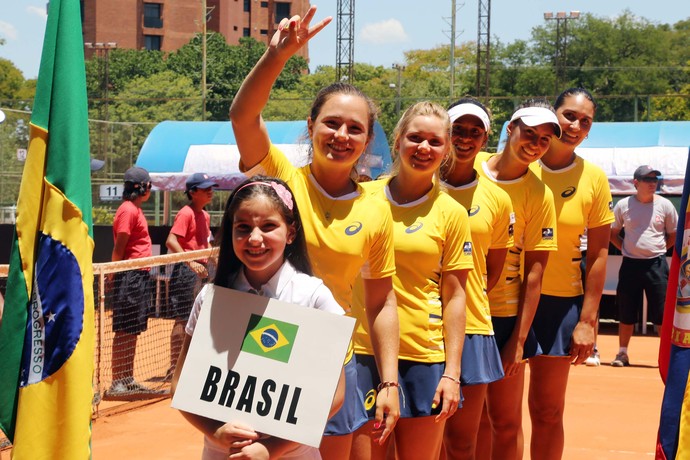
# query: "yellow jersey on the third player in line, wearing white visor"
{"points": [[491, 223]]}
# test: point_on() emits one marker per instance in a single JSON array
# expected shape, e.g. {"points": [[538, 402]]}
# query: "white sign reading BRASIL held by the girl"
{"points": [[270, 364]]}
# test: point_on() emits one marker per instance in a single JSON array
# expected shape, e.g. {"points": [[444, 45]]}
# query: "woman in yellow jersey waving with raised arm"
{"points": [[347, 231]]}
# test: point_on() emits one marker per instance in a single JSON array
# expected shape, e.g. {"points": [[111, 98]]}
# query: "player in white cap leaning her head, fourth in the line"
{"points": [[513, 301]]}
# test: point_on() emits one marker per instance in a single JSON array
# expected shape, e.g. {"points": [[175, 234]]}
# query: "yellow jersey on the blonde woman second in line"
{"points": [[432, 236]]}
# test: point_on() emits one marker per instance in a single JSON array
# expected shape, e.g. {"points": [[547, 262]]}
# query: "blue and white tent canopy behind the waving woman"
{"points": [[175, 149]]}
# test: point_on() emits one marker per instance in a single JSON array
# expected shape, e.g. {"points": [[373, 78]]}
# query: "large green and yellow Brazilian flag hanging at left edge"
{"points": [[47, 332]]}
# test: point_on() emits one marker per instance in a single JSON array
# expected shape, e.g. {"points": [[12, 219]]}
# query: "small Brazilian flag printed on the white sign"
{"points": [[269, 338]]}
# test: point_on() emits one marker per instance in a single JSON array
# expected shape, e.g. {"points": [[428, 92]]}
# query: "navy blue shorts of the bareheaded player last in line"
{"points": [[555, 322]]}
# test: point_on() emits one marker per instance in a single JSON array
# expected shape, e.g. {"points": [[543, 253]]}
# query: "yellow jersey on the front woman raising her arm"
{"points": [[343, 234]]}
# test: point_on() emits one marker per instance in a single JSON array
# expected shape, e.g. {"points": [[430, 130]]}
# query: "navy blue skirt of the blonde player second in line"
{"points": [[418, 383]]}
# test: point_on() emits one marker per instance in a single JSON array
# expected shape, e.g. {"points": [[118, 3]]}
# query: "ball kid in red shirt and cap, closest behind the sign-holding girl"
{"points": [[191, 231]]}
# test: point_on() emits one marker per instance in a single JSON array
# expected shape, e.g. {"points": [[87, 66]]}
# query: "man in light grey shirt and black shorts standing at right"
{"points": [[650, 223]]}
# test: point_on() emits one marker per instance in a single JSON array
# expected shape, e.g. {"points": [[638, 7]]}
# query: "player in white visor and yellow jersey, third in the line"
{"points": [[491, 222]]}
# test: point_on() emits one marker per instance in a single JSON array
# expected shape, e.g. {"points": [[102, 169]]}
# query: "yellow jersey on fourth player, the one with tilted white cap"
{"points": [[534, 230]]}
